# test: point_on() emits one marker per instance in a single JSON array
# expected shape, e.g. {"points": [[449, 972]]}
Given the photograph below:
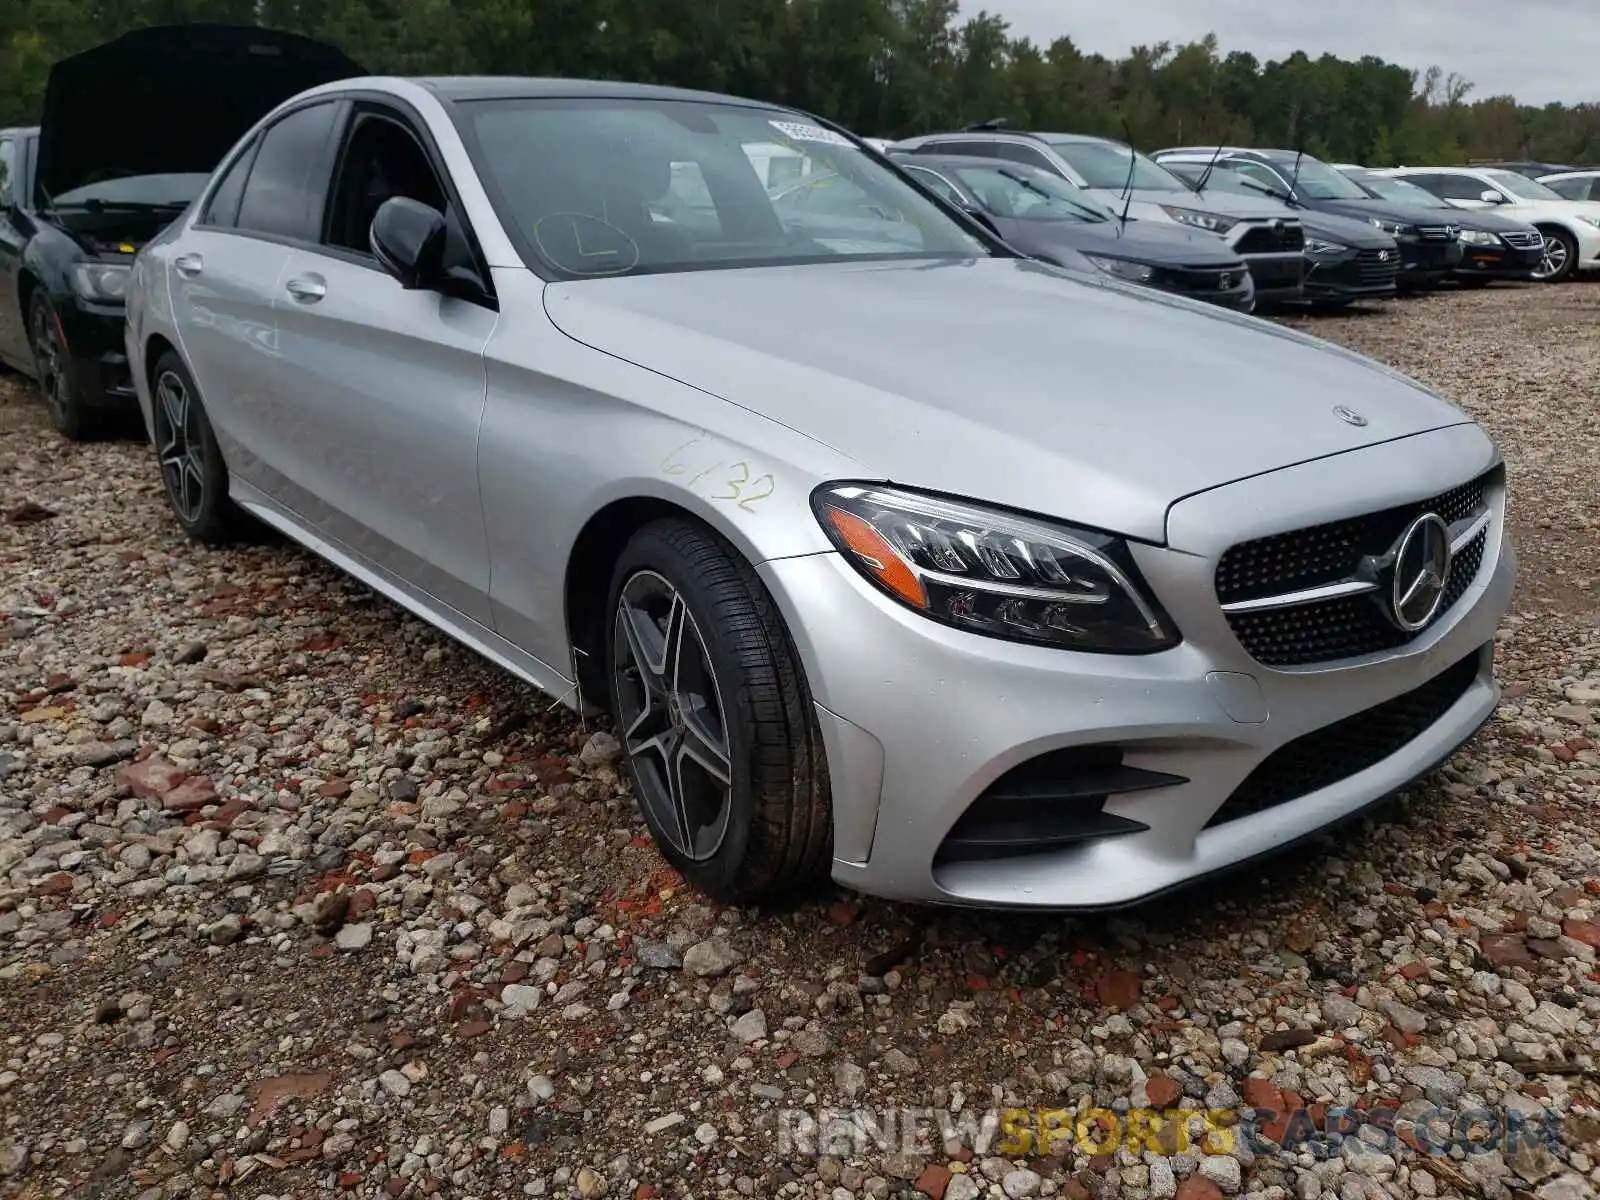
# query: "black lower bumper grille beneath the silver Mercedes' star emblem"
{"points": [[1324, 758]]}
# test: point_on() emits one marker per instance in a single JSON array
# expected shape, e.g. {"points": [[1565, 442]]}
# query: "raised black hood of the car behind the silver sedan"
{"points": [[170, 98]]}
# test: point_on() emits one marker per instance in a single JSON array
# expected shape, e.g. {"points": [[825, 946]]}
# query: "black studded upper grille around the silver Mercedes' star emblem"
{"points": [[1324, 554]]}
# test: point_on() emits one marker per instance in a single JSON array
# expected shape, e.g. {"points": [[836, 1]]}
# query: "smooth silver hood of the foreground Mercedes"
{"points": [[1004, 380]]}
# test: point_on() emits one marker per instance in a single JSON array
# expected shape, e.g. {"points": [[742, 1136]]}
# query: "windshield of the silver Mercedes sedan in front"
{"points": [[620, 186]]}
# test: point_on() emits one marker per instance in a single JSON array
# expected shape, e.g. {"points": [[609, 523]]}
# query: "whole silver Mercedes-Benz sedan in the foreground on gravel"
{"points": [[890, 553]]}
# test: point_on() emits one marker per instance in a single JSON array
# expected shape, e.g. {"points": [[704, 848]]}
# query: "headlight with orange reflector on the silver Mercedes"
{"points": [[993, 572]]}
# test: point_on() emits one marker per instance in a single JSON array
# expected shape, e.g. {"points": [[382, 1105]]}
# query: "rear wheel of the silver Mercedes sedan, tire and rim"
{"points": [[190, 458]]}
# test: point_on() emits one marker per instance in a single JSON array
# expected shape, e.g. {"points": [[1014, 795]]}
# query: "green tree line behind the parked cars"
{"points": [[887, 68]]}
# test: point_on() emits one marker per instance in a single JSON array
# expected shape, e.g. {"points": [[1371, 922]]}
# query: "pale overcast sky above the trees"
{"points": [[1535, 50]]}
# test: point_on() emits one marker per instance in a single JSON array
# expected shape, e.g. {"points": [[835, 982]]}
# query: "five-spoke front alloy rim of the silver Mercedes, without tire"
{"points": [[670, 706]]}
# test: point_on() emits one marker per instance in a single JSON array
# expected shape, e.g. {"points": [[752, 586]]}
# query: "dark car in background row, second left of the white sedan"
{"points": [[1430, 242]]}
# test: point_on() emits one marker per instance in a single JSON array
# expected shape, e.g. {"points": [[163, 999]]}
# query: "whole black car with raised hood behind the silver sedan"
{"points": [[129, 138]]}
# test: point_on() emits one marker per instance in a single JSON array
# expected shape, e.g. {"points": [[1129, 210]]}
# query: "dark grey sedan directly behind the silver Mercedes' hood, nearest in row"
{"points": [[1044, 217]]}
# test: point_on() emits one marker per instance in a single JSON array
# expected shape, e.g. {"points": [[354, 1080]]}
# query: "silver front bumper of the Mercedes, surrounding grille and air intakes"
{"points": [[919, 721]]}
